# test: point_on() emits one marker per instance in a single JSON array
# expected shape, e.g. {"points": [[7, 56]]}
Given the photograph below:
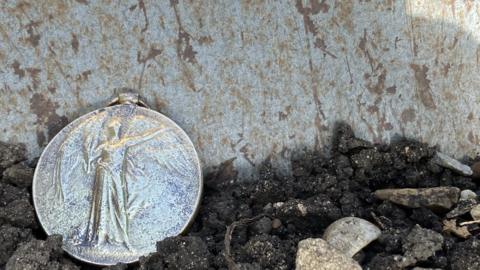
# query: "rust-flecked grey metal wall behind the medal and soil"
{"points": [[248, 79]]}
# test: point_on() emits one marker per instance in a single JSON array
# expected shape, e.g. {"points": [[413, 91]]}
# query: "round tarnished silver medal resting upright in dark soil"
{"points": [[117, 180]]}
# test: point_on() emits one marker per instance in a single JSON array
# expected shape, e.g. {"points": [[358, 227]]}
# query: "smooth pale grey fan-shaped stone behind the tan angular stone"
{"points": [[351, 234]]}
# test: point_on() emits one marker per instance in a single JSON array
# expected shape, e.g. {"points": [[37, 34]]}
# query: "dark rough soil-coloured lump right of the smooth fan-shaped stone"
{"points": [[421, 244]]}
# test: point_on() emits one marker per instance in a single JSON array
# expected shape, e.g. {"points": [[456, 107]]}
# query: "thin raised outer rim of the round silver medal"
{"points": [[200, 179]]}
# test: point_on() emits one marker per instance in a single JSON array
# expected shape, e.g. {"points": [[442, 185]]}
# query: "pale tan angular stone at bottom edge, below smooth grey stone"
{"points": [[317, 254]]}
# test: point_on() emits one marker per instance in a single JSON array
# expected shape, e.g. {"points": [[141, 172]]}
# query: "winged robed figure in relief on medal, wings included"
{"points": [[119, 177]]}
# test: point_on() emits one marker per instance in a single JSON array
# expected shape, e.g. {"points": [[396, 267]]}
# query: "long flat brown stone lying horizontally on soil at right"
{"points": [[433, 198]]}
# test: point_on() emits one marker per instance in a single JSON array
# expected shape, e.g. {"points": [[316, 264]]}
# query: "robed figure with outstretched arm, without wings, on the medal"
{"points": [[109, 209]]}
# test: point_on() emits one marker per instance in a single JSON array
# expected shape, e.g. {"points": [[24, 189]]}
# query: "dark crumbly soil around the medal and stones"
{"points": [[257, 224]]}
